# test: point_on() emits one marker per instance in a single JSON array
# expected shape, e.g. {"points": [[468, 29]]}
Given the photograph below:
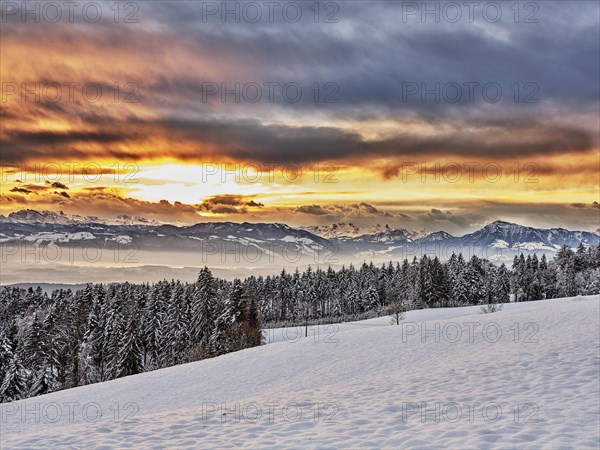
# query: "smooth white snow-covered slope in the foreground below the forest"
{"points": [[444, 378]]}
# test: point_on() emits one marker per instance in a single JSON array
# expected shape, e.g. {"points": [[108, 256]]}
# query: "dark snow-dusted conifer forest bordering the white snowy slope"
{"points": [[102, 332]]}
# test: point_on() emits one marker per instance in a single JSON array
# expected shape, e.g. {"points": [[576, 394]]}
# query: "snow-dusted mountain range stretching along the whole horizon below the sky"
{"points": [[498, 241]]}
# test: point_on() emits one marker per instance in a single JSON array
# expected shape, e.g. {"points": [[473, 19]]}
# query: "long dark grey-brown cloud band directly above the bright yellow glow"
{"points": [[250, 140]]}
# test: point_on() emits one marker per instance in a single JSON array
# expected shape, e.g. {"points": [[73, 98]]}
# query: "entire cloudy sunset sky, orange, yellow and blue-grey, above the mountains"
{"points": [[367, 112]]}
